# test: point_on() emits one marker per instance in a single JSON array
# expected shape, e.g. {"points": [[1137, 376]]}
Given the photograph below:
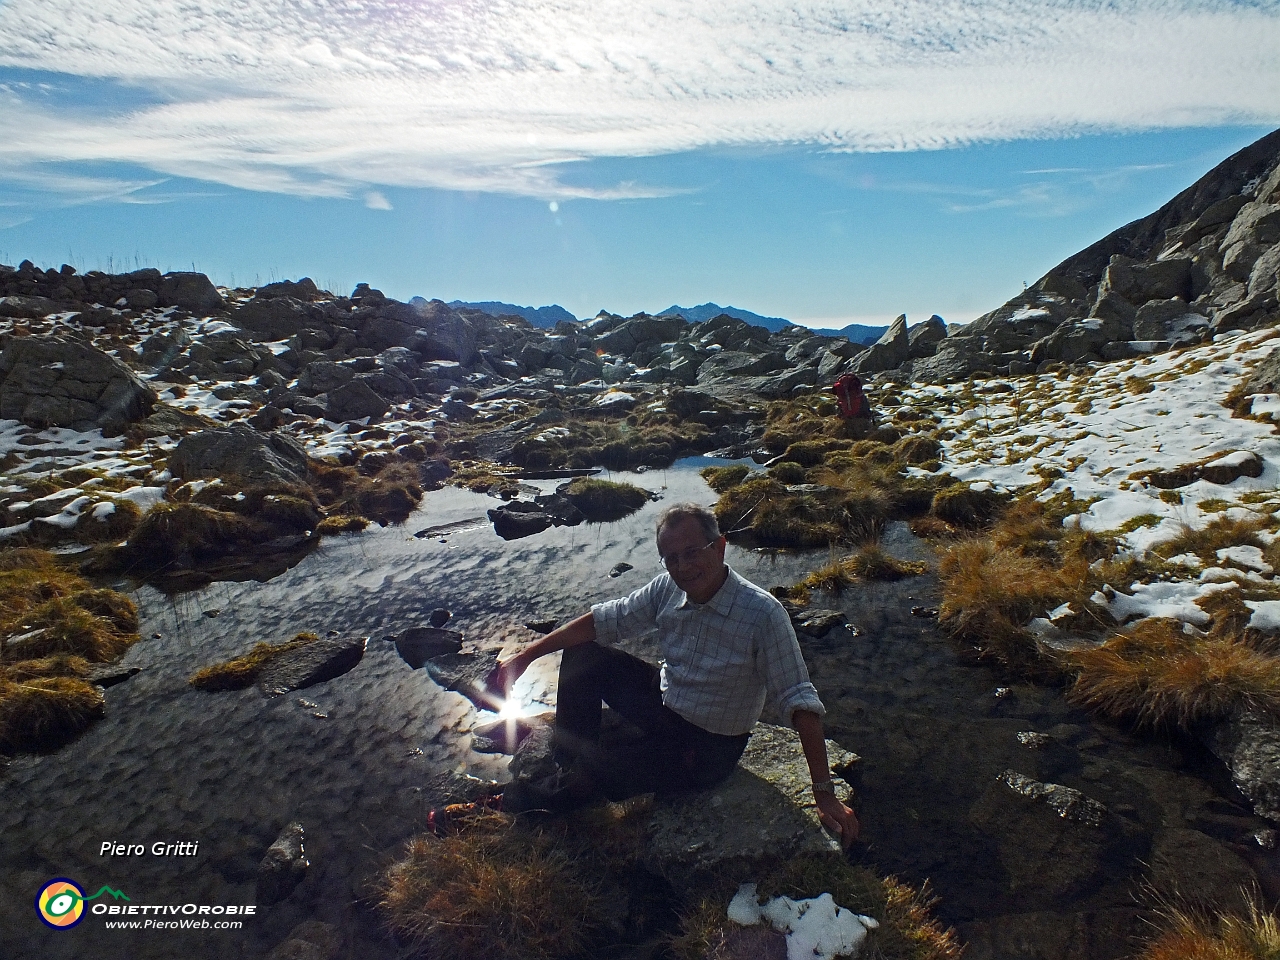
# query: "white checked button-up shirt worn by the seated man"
{"points": [[721, 659]]}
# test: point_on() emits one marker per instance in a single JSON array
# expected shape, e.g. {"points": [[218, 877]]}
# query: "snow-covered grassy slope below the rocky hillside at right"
{"points": [[1100, 432]]}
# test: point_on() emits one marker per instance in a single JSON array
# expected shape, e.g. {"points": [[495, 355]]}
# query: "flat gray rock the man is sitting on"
{"points": [[764, 811]]}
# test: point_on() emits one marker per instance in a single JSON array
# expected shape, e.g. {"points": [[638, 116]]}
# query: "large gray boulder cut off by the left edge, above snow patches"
{"points": [[54, 382]]}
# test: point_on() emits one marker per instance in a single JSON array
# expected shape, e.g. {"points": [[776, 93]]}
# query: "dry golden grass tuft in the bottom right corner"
{"points": [[1196, 935]]}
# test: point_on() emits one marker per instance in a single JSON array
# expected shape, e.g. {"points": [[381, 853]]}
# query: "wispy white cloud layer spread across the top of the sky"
{"points": [[340, 98]]}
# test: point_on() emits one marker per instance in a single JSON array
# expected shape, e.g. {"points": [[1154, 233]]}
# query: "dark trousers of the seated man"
{"points": [[670, 755]]}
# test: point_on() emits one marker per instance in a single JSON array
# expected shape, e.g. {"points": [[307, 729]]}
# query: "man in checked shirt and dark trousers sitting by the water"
{"points": [[728, 648]]}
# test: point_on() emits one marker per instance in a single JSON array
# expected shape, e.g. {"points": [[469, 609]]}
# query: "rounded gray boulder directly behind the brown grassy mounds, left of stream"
{"points": [[240, 454]]}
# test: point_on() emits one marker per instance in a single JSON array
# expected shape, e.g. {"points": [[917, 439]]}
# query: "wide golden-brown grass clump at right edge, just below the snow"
{"points": [[1158, 675]]}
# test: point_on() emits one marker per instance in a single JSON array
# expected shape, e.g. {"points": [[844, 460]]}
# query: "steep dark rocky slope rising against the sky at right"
{"points": [[1208, 262]]}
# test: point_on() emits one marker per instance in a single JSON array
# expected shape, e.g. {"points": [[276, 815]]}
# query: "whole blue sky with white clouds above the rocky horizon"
{"points": [[836, 163]]}
